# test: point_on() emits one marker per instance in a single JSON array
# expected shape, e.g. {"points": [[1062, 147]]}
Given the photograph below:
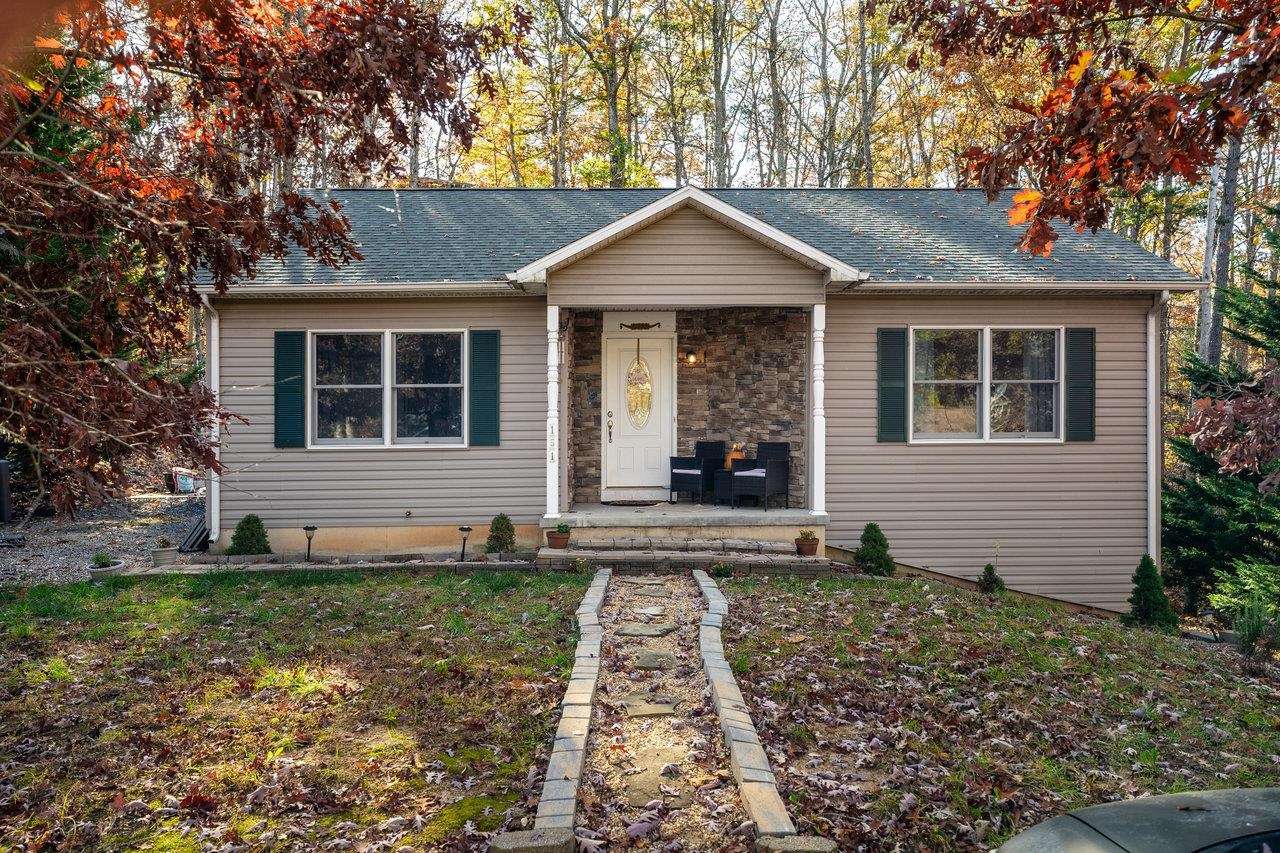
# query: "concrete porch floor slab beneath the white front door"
{"points": [[684, 516]]}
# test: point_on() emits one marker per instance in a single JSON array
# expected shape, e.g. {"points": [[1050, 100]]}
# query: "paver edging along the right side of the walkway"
{"points": [[751, 765]]}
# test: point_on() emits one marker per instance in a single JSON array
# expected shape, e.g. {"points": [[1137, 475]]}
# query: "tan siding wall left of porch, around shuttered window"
{"points": [[377, 487]]}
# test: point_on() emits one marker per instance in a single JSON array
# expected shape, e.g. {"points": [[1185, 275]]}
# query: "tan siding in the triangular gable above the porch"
{"points": [[685, 261]]}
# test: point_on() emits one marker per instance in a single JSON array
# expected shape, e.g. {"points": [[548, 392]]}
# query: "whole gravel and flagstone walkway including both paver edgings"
{"points": [[656, 750]]}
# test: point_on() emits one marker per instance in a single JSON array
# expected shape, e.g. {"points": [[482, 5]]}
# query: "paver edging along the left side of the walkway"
{"points": [[559, 802]]}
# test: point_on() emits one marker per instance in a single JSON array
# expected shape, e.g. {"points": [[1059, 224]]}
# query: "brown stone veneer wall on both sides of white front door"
{"points": [[752, 387]]}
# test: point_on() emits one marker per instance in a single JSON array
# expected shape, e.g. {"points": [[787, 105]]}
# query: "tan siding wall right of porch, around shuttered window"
{"points": [[1069, 521]]}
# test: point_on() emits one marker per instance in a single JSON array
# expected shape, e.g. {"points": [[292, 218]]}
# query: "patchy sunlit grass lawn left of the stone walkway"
{"points": [[296, 711]]}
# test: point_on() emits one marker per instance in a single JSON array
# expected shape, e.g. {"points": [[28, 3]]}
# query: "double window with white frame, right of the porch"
{"points": [[990, 384]]}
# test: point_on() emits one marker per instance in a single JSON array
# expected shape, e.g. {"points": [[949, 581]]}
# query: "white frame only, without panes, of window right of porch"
{"points": [[985, 372]]}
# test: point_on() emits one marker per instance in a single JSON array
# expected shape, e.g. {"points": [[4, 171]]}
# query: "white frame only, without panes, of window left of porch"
{"points": [[388, 441]]}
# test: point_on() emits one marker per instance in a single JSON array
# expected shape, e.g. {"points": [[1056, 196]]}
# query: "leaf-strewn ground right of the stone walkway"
{"points": [[907, 715]]}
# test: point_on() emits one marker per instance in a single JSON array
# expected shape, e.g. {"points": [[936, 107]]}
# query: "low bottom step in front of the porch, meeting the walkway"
{"points": [[657, 562]]}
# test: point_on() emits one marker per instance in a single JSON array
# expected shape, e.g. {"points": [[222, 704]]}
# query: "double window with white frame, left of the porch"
{"points": [[385, 389]]}
